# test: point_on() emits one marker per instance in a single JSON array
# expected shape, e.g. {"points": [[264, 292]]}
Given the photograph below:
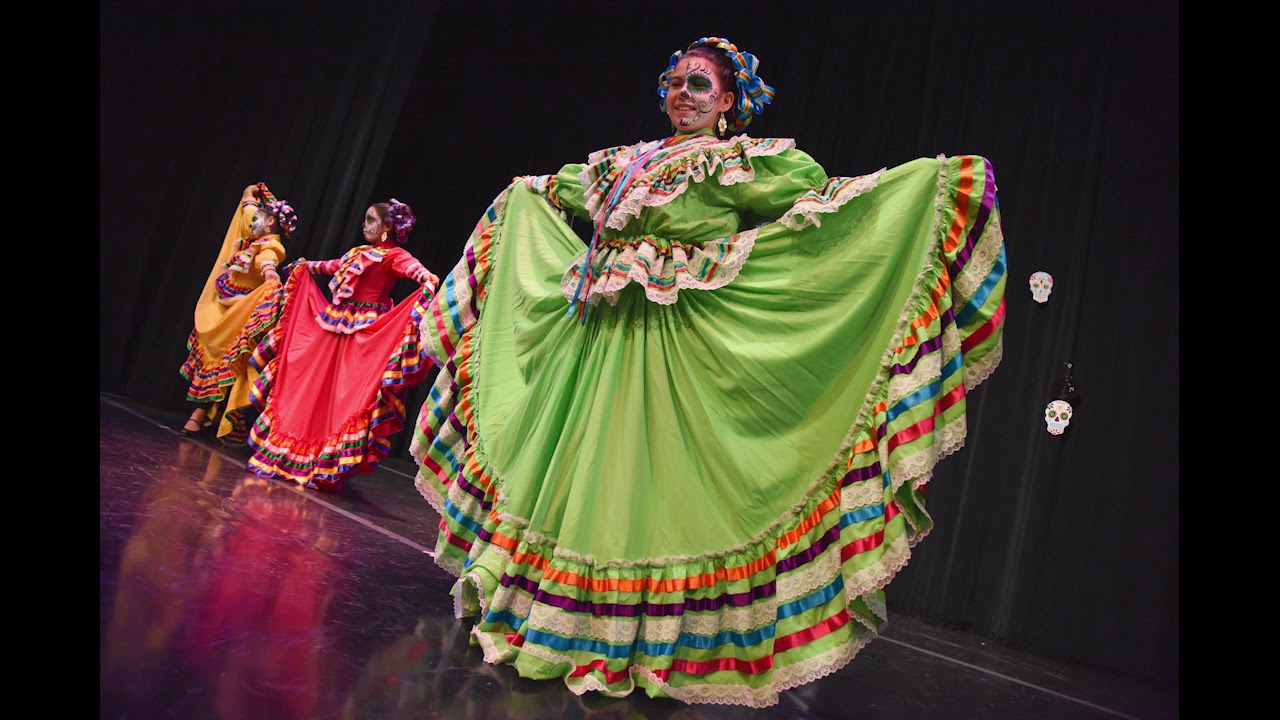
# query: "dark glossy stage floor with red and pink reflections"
{"points": [[228, 596]]}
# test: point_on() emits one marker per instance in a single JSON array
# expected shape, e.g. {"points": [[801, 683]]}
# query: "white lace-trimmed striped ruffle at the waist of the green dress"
{"points": [[609, 286]]}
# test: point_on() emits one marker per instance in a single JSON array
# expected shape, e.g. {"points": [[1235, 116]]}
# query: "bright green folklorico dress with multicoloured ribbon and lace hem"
{"points": [[705, 487]]}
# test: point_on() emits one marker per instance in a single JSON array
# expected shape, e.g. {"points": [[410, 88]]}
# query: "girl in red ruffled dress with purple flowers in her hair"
{"points": [[335, 373]]}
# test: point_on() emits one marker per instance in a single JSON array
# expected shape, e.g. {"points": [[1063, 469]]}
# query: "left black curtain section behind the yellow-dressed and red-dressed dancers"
{"points": [[200, 101]]}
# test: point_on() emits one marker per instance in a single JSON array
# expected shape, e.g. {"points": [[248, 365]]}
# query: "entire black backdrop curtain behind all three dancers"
{"points": [[1066, 546]]}
